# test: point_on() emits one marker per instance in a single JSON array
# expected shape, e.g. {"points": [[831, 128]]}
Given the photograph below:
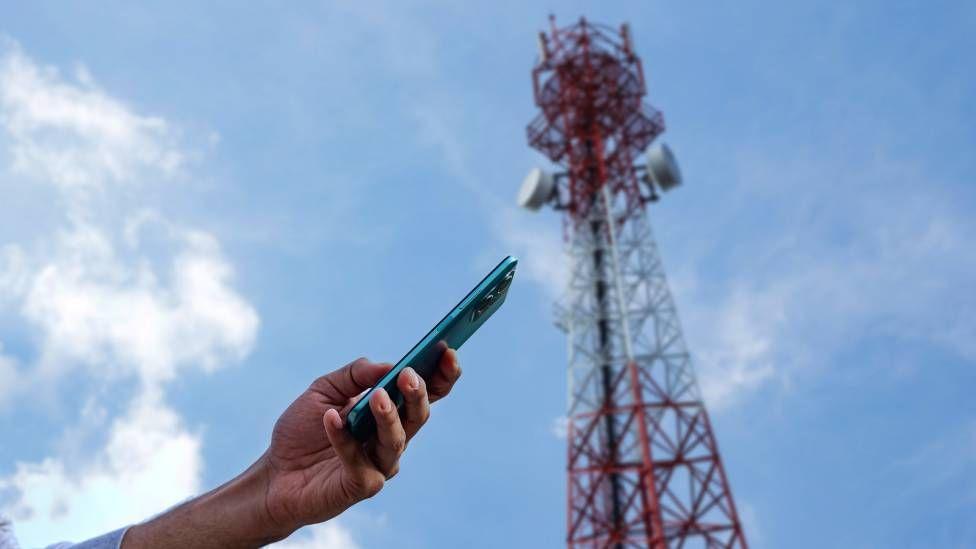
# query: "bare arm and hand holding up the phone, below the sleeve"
{"points": [[312, 471]]}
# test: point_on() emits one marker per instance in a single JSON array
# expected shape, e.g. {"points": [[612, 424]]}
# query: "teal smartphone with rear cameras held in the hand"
{"points": [[451, 332]]}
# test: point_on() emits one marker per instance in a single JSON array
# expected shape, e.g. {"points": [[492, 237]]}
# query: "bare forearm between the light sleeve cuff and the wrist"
{"points": [[232, 516]]}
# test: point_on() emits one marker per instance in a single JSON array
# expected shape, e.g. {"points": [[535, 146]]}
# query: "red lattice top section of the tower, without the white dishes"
{"points": [[589, 86]]}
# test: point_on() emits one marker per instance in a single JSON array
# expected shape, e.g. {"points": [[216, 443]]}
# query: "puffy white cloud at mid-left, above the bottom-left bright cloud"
{"points": [[115, 314]]}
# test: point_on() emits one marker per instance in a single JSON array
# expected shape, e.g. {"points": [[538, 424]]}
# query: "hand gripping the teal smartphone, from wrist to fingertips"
{"points": [[314, 467]]}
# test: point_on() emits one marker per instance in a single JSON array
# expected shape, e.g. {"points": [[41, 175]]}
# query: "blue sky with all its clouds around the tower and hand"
{"points": [[278, 190]]}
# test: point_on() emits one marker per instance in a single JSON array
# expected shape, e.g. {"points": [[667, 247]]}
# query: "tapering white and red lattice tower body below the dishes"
{"points": [[644, 468]]}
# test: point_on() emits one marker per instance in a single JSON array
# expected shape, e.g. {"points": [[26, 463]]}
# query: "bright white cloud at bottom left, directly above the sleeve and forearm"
{"points": [[149, 462]]}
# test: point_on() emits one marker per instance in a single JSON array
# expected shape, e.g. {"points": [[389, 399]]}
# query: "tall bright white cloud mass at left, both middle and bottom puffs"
{"points": [[103, 308]]}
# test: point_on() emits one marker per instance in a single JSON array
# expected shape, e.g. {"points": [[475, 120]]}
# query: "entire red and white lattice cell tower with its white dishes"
{"points": [[643, 465]]}
